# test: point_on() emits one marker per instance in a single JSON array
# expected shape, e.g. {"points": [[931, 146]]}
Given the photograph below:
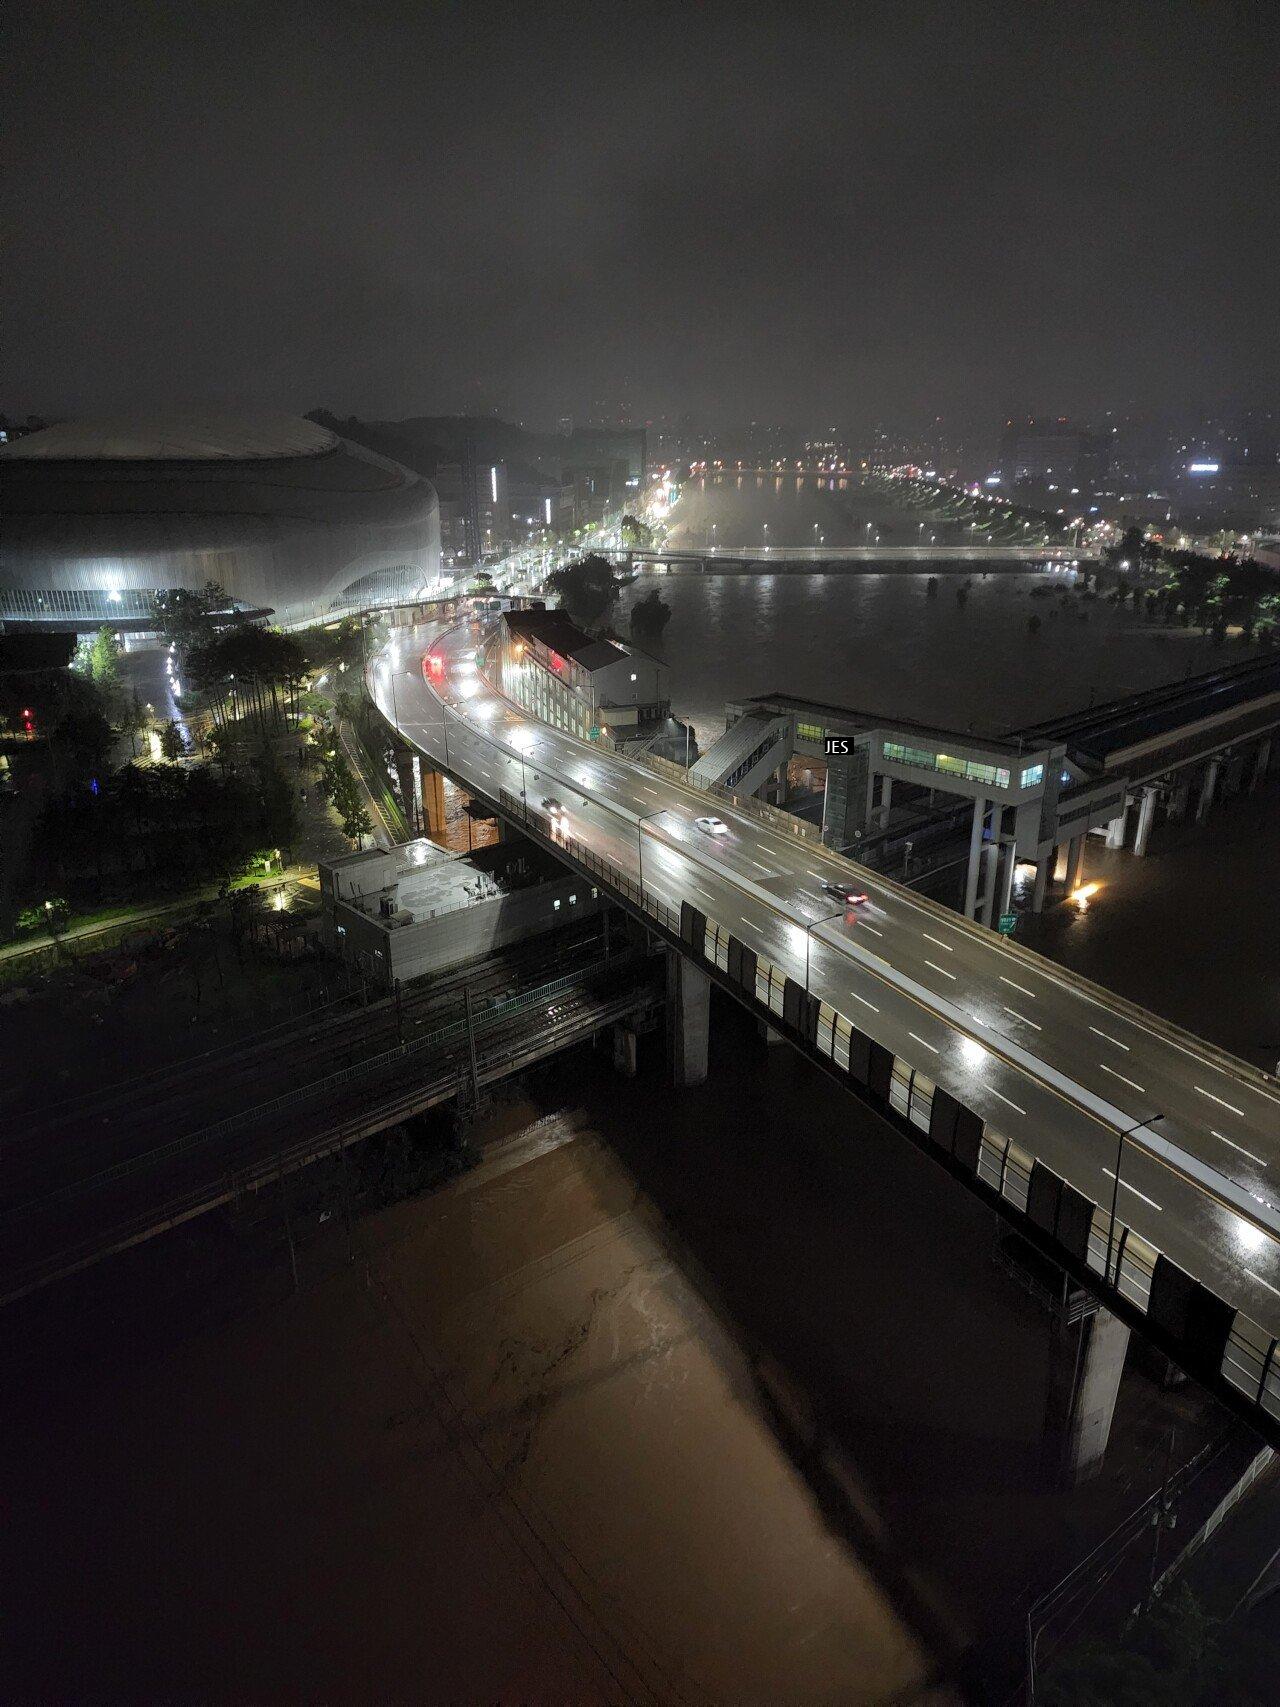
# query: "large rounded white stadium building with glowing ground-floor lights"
{"points": [[284, 515]]}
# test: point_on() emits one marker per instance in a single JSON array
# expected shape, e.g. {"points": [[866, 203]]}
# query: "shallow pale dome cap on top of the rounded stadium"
{"points": [[177, 436]]}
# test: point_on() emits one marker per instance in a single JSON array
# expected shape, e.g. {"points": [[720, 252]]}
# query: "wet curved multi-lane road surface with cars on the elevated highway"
{"points": [[1045, 1059]]}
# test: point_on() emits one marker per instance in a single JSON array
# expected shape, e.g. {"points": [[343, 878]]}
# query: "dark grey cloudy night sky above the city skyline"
{"points": [[820, 216]]}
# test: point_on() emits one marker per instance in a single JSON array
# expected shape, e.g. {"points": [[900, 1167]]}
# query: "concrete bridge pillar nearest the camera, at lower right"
{"points": [[1086, 1365]]}
